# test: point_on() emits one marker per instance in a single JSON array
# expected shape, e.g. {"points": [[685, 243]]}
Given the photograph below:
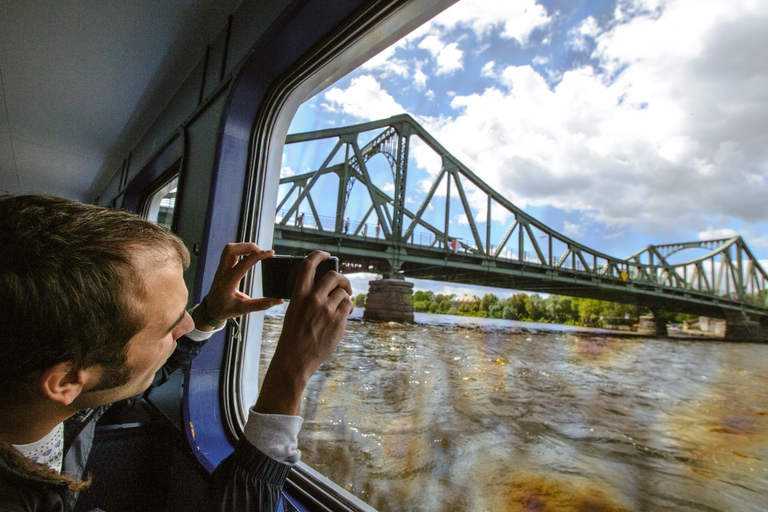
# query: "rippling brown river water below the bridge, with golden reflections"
{"points": [[467, 414]]}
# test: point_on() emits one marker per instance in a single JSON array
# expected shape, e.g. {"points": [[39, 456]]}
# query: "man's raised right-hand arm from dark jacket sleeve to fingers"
{"points": [[249, 479]]}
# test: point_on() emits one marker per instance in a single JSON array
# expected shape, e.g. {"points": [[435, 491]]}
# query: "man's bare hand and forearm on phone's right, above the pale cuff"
{"points": [[314, 322]]}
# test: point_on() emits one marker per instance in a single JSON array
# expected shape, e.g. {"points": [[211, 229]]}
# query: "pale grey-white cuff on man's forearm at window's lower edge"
{"points": [[275, 435]]}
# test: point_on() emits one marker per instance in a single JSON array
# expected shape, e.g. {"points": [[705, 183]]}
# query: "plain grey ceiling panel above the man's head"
{"points": [[82, 80]]}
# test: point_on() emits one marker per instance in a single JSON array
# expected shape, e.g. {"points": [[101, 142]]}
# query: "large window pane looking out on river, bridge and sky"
{"points": [[615, 124]]}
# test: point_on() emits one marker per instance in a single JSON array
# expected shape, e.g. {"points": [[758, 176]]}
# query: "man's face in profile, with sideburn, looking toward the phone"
{"points": [[164, 308]]}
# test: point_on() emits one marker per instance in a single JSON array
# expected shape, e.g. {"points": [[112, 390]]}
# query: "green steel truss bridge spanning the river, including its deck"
{"points": [[393, 234]]}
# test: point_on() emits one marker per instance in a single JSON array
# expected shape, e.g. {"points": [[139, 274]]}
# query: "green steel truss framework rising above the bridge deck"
{"points": [[736, 275]]}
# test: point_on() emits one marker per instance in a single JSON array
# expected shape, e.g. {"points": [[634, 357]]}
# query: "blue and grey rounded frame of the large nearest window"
{"points": [[309, 48]]}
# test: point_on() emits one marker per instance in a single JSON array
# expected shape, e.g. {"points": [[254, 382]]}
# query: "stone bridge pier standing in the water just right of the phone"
{"points": [[389, 300]]}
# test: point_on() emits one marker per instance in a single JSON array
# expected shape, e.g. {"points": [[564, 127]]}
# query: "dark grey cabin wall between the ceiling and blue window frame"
{"points": [[194, 112]]}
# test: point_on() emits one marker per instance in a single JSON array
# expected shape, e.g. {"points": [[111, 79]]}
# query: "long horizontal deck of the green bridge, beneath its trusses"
{"points": [[423, 262]]}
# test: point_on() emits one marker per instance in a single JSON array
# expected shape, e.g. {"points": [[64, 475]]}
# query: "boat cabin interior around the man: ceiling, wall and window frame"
{"points": [[178, 111]]}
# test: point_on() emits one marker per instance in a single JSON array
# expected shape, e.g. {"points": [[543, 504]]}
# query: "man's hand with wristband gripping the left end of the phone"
{"points": [[224, 300]]}
